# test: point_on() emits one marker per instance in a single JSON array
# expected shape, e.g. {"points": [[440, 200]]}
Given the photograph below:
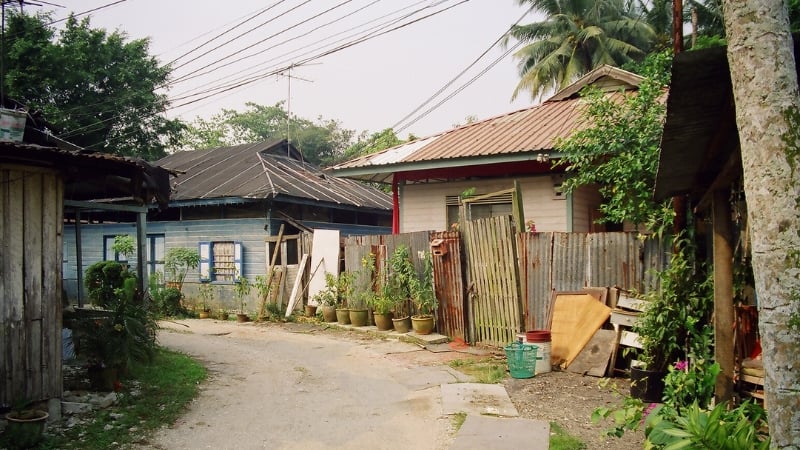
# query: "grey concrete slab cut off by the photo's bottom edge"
{"points": [[482, 432]]}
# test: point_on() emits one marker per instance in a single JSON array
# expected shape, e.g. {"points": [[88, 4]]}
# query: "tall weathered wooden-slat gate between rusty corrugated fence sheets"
{"points": [[493, 278]]}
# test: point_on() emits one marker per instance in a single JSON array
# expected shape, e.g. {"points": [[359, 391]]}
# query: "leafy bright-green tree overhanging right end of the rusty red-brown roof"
{"points": [[619, 149]]}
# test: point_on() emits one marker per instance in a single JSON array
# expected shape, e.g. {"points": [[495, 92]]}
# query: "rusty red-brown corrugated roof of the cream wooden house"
{"points": [[515, 136]]}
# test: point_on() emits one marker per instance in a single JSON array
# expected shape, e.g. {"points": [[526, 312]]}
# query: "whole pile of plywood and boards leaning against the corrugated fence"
{"points": [[581, 341]]}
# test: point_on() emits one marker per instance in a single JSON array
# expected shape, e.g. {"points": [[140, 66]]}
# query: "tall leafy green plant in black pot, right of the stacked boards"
{"points": [[674, 317]]}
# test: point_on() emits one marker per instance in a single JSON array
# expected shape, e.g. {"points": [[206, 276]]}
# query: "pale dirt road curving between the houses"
{"points": [[286, 388]]}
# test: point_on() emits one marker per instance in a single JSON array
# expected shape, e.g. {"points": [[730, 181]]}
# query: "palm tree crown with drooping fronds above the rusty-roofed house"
{"points": [[576, 37]]}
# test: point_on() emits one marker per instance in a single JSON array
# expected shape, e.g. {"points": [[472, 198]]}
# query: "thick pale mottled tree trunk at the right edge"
{"points": [[760, 54]]}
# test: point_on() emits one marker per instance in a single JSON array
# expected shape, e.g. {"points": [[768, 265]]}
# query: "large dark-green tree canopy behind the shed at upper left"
{"points": [[95, 89]]}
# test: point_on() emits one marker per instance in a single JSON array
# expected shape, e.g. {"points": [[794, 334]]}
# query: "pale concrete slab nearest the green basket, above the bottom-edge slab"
{"points": [[477, 398]]}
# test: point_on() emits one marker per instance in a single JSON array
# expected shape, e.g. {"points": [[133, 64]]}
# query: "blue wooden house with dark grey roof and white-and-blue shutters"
{"points": [[231, 203]]}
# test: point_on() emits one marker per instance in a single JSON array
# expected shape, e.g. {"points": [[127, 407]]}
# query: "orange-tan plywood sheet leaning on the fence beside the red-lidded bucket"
{"points": [[575, 319]]}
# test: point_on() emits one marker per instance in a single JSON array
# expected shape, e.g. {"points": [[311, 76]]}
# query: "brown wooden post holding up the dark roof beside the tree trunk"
{"points": [[723, 296]]}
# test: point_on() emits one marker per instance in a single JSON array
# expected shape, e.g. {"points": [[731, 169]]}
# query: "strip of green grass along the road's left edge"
{"points": [[164, 387]]}
